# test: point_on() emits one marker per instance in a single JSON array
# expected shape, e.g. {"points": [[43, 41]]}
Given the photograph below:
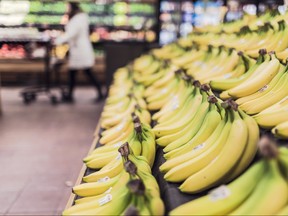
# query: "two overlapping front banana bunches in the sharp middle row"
{"points": [[205, 144]]}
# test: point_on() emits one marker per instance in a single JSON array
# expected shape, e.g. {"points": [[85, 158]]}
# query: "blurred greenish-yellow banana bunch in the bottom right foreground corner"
{"points": [[261, 190]]}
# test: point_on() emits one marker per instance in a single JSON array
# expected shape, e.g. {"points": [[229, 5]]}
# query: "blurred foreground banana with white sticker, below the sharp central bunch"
{"points": [[226, 198]]}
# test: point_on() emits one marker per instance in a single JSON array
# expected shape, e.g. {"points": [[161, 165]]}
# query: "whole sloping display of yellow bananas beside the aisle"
{"points": [[214, 104]]}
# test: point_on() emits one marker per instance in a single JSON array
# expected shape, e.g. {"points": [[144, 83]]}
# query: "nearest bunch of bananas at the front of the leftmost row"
{"points": [[133, 190]]}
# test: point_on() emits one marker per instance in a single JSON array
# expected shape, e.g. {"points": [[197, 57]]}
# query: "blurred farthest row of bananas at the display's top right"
{"points": [[271, 36]]}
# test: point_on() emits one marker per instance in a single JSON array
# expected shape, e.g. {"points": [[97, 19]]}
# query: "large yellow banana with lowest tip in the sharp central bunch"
{"points": [[212, 174]]}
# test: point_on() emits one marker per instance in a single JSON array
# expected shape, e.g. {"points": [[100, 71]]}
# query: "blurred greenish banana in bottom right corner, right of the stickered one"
{"points": [[270, 200]]}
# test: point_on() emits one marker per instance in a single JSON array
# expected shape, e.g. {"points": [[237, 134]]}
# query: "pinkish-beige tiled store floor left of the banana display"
{"points": [[41, 148]]}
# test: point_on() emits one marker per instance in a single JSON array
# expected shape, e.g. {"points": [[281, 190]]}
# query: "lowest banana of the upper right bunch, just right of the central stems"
{"points": [[253, 84]]}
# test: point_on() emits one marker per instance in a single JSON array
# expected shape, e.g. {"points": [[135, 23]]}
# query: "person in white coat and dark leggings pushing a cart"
{"points": [[81, 55]]}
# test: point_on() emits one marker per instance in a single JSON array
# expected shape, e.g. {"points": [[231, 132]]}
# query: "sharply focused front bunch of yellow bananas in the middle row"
{"points": [[211, 158]]}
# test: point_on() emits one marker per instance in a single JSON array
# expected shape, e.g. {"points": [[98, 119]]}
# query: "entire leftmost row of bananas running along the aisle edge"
{"points": [[125, 119]]}
